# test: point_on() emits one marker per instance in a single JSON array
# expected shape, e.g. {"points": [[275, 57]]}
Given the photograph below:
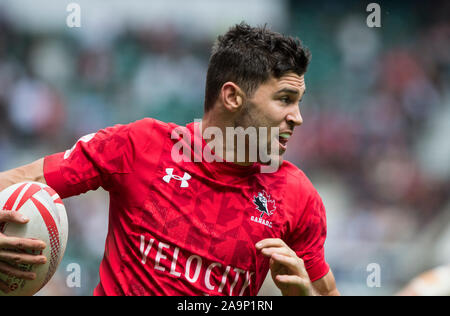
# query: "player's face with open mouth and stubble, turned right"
{"points": [[275, 104]]}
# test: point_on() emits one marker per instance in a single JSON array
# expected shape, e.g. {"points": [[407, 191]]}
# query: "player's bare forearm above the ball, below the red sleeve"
{"points": [[31, 172]]}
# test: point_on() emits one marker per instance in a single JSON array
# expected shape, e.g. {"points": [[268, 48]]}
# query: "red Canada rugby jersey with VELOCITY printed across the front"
{"points": [[187, 228]]}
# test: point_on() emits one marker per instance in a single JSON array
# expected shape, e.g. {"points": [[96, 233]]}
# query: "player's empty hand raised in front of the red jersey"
{"points": [[288, 271]]}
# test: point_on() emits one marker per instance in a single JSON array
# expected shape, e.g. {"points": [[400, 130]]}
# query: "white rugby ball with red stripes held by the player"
{"points": [[48, 222]]}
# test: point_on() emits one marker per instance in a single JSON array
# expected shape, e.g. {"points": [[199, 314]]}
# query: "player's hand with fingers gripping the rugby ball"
{"points": [[13, 251]]}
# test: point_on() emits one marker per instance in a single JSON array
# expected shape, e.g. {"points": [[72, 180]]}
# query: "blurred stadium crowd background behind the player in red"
{"points": [[375, 138]]}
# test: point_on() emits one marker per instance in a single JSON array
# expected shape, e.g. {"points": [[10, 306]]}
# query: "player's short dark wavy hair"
{"points": [[249, 56]]}
